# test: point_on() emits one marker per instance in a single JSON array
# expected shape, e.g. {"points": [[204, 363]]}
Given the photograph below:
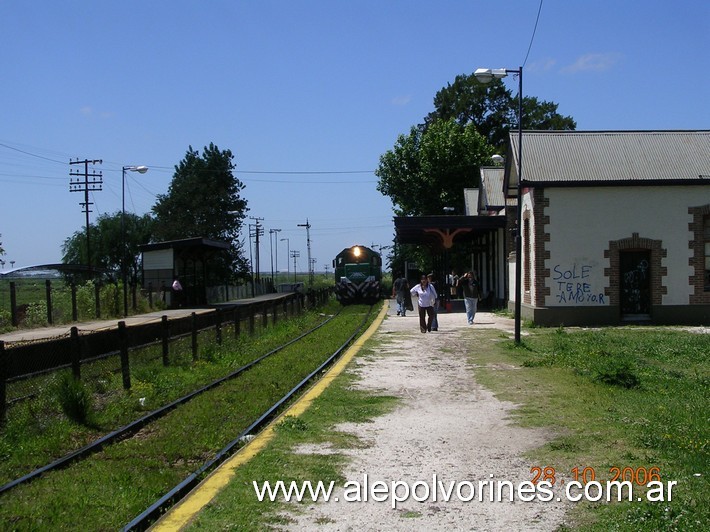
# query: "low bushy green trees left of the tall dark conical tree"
{"points": [[107, 241]]}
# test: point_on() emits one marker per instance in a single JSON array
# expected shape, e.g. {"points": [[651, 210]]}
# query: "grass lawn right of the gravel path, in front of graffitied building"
{"points": [[615, 398]]}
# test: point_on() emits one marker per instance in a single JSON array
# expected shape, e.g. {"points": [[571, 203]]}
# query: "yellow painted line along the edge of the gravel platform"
{"points": [[182, 513]]}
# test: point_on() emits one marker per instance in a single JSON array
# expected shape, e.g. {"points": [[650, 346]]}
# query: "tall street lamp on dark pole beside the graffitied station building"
{"points": [[485, 75]]}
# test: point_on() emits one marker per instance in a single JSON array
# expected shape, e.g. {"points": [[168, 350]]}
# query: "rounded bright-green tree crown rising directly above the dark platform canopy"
{"points": [[428, 169]]}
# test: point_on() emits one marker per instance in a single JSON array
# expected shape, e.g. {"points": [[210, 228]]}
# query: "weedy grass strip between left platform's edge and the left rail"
{"points": [[38, 430]]}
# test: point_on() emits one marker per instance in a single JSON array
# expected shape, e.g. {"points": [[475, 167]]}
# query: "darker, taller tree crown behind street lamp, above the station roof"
{"points": [[493, 109]]}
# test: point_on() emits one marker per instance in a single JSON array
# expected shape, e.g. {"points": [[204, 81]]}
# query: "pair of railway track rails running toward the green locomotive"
{"points": [[143, 426]]}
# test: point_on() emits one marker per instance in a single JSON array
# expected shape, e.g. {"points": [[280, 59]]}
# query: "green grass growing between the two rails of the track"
{"points": [[111, 487]]}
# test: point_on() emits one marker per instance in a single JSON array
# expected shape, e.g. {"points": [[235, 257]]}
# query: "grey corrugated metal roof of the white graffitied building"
{"points": [[557, 157]]}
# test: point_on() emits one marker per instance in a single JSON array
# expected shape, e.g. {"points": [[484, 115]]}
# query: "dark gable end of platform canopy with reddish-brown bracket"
{"points": [[443, 231]]}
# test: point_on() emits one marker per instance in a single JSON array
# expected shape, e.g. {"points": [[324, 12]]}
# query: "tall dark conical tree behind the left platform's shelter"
{"points": [[204, 201]]}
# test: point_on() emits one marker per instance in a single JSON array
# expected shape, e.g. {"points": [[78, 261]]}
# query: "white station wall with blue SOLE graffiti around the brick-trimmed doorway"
{"points": [[584, 219]]}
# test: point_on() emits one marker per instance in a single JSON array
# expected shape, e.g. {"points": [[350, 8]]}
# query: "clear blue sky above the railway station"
{"points": [[302, 86]]}
